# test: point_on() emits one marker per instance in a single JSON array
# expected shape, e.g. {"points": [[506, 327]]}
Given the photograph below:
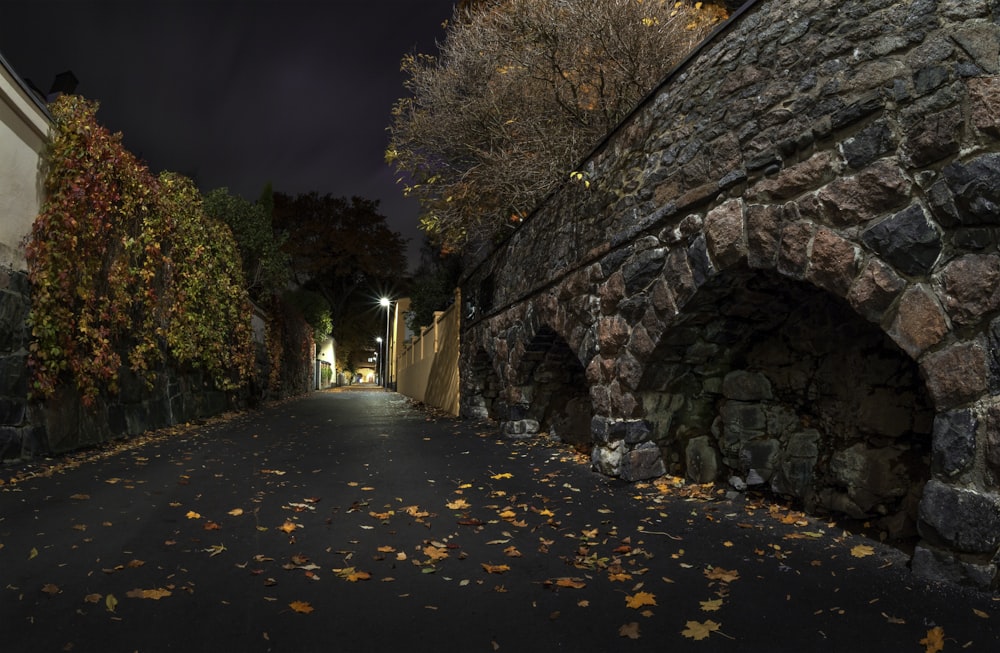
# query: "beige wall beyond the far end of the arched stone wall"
{"points": [[428, 364]]}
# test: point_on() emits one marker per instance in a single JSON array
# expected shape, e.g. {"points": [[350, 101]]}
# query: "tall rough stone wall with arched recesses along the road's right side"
{"points": [[783, 269]]}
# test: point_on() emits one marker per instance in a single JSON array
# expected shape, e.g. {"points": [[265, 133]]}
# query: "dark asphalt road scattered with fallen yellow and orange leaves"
{"points": [[352, 521]]}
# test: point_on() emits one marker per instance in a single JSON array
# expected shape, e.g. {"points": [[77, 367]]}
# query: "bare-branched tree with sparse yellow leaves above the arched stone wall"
{"points": [[518, 93]]}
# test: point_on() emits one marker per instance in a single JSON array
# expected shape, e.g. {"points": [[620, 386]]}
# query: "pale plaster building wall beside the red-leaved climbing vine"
{"points": [[24, 129]]}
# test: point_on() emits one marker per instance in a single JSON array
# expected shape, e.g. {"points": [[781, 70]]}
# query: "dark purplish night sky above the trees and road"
{"points": [[237, 93]]}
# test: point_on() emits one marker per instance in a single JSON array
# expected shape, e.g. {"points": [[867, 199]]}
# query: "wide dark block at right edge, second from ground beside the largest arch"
{"points": [[959, 518]]}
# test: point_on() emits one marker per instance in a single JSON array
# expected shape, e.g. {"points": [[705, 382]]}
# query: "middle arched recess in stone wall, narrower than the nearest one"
{"points": [[551, 394]]}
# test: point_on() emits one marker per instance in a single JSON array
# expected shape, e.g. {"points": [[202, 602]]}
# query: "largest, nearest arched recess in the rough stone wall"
{"points": [[783, 385]]}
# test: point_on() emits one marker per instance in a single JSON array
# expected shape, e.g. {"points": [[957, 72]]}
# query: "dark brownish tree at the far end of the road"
{"points": [[343, 250]]}
